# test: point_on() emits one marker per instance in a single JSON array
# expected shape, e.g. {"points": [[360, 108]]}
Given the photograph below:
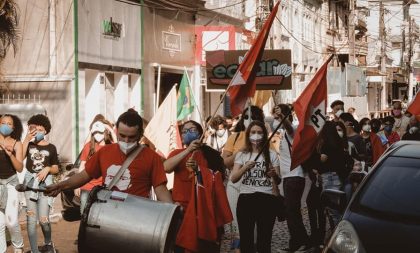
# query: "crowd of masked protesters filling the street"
{"points": [[231, 152]]}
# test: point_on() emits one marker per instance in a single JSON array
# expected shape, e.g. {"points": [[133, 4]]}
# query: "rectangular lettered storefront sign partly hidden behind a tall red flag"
{"points": [[274, 71]]}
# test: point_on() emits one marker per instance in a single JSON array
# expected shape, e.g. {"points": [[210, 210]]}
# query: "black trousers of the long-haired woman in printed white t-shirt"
{"points": [[256, 209]]}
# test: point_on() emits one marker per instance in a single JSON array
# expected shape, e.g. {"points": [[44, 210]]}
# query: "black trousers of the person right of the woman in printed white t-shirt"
{"points": [[293, 191]]}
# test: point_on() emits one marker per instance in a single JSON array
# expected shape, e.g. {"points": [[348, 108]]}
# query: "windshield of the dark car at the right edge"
{"points": [[394, 188]]}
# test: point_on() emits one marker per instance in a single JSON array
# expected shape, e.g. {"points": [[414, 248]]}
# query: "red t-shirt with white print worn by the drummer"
{"points": [[145, 171]]}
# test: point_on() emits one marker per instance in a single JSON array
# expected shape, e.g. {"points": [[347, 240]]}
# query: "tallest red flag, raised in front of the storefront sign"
{"points": [[243, 82]]}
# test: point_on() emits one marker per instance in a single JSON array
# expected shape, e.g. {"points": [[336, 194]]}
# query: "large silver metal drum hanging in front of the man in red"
{"points": [[119, 222]]}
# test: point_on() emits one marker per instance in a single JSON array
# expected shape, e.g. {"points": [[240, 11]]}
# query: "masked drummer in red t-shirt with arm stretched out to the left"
{"points": [[144, 172]]}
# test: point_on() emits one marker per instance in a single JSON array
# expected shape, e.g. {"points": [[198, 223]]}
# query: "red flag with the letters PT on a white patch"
{"points": [[310, 108]]}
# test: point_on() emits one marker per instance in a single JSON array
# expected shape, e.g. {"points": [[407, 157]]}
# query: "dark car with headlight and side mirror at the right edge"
{"points": [[384, 212]]}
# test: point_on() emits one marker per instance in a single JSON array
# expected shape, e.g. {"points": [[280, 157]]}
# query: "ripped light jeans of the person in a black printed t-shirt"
{"points": [[37, 210]]}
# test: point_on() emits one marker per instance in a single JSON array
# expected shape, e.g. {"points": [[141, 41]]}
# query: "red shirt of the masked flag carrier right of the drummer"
{"points": [[181, 192]]}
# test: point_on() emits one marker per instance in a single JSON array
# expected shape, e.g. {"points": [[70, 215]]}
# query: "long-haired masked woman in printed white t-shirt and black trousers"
{"points": [[259, 182]]}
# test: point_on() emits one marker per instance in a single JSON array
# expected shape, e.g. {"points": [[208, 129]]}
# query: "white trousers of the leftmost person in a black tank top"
{"points": [[9, 218]]}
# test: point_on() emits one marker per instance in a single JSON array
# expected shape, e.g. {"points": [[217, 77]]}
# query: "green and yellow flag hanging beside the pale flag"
{"points": [[185, 100]]}
